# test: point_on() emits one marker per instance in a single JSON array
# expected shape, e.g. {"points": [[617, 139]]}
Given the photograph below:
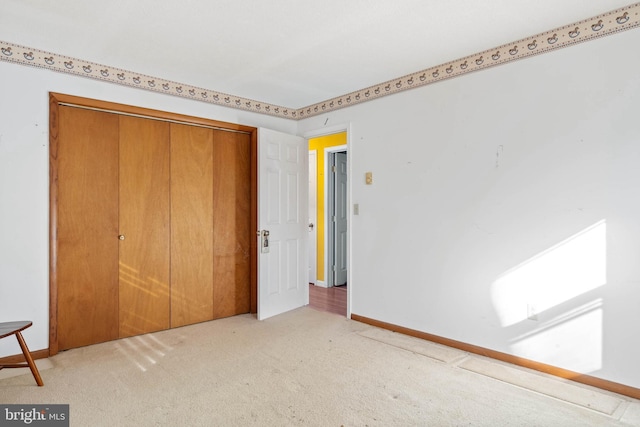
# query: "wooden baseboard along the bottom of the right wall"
{"points": [[504, 357]]}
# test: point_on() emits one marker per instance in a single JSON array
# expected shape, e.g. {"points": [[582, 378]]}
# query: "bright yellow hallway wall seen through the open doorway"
{"points": [[320, 144]]}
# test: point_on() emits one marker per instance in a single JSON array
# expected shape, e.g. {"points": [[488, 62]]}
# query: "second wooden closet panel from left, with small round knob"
{"points": [[144, 226]]}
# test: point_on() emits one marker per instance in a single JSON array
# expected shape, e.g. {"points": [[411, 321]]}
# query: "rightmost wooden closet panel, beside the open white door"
{"points": [[232, 213]]}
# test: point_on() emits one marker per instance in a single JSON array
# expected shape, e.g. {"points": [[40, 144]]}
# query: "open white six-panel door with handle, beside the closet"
{"points": [[283, 213]]}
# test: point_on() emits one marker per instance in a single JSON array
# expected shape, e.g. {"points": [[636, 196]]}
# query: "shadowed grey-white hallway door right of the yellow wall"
{"points": [[340, 204]]}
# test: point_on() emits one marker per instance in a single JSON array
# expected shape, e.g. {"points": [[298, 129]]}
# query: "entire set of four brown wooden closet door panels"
{"points": [[152, 225]]}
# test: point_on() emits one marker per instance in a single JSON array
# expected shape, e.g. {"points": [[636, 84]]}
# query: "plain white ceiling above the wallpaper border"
{"points": [[291, 53]]}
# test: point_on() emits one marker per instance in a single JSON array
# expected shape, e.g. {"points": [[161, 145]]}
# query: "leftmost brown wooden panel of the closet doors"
{"points": [[87, 227]]}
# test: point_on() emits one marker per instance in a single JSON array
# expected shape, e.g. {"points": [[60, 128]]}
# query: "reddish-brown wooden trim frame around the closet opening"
{"points": [[57, 99]]}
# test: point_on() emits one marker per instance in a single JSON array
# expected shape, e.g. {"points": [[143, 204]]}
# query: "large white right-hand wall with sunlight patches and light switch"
{"points": [[505, 194]]}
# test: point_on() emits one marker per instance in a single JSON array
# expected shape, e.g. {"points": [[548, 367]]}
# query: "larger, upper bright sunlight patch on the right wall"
{"points": [[557, 275]]}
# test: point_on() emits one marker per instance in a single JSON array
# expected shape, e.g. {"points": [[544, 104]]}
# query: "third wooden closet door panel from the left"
{"points": [[191, 224]]}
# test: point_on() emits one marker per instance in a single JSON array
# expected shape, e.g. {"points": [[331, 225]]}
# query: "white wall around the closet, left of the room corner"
{"points": [[24, 180]]}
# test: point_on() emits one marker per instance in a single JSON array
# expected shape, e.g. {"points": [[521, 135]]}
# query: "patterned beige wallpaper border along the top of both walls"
{"points": [[606, 24]]}
